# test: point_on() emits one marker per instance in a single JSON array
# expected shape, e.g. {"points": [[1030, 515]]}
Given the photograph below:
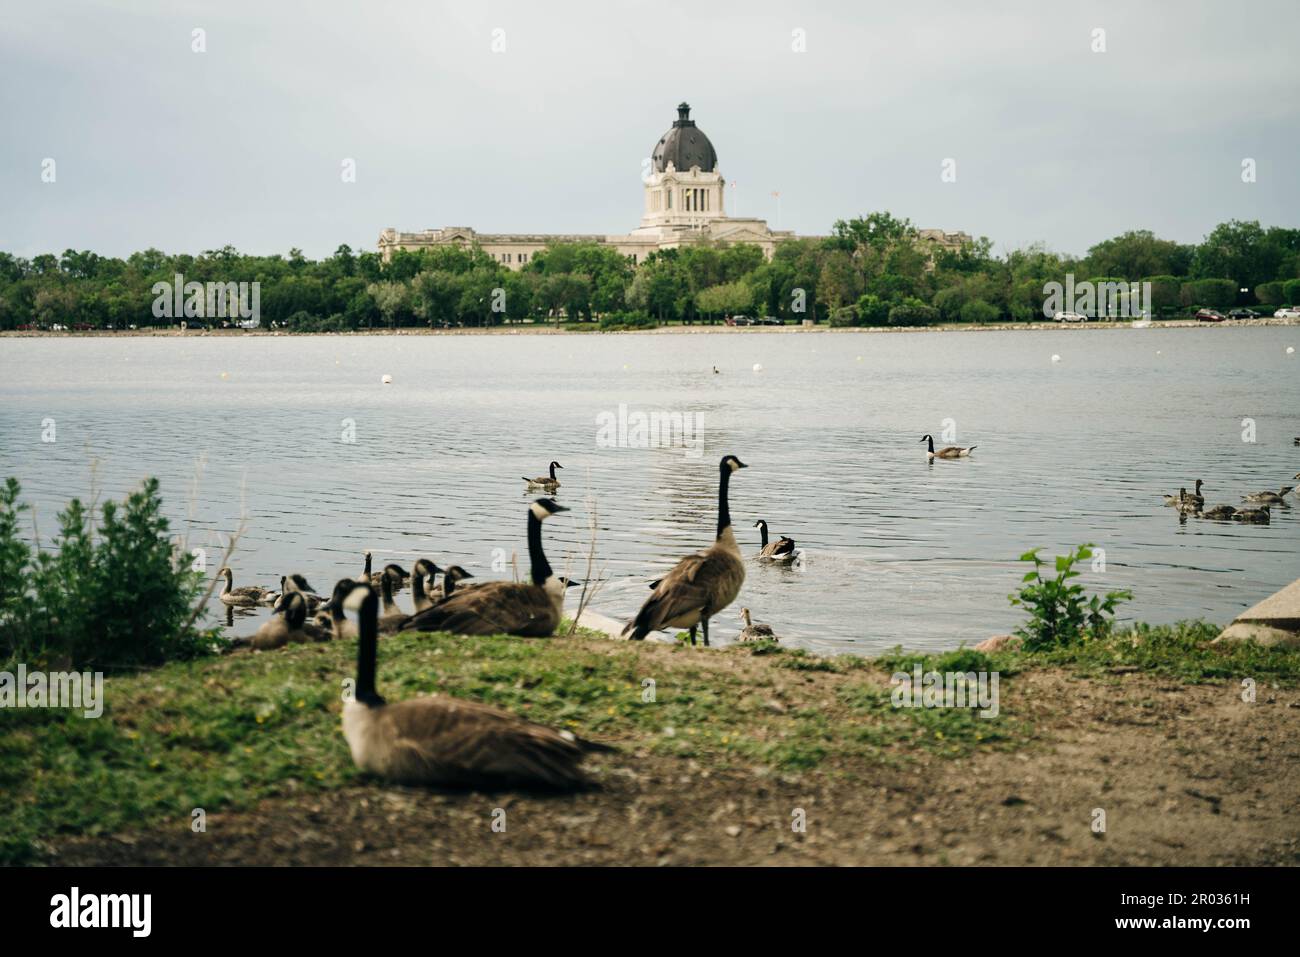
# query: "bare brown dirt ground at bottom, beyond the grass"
{"points": [[1185, 774]]}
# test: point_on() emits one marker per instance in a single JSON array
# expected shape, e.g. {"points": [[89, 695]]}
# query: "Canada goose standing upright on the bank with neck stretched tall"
{"points": [[700, 586]]}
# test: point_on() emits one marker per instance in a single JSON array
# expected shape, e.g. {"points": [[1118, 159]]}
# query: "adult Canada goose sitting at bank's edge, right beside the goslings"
{"points": [[531, 609]]}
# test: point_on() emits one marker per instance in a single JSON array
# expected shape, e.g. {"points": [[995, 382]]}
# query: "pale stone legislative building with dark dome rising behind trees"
{"points": [[686, 202]]}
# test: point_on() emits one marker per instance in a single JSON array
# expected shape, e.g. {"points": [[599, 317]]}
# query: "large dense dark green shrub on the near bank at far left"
{"points": [[115, 595]]}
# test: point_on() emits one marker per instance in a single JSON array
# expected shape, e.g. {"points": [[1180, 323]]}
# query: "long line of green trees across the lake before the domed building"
{"points": [[874, 270]]}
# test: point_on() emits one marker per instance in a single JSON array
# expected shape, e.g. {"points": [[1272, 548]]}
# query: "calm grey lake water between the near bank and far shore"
{"points": [[899, 552]]}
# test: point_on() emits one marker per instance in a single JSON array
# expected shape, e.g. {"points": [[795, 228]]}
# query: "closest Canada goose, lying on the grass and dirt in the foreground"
{"points": [[445, 741]]}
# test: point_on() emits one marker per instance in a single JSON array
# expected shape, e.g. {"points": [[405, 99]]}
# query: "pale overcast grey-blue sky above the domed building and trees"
{"points": [[535, 118]]}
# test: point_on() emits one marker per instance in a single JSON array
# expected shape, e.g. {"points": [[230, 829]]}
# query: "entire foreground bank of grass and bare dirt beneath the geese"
{"points": [[1150, 726]]}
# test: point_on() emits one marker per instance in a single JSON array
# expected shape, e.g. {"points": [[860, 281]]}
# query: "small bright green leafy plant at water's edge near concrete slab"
{"points": [[1060, 612]]}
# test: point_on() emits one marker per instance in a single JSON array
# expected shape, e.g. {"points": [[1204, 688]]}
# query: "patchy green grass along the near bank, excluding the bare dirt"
{"points": [[223, 734]]}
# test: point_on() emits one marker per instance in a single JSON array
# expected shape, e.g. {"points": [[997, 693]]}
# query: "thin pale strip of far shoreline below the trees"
{"points": [[538, 330]]}
